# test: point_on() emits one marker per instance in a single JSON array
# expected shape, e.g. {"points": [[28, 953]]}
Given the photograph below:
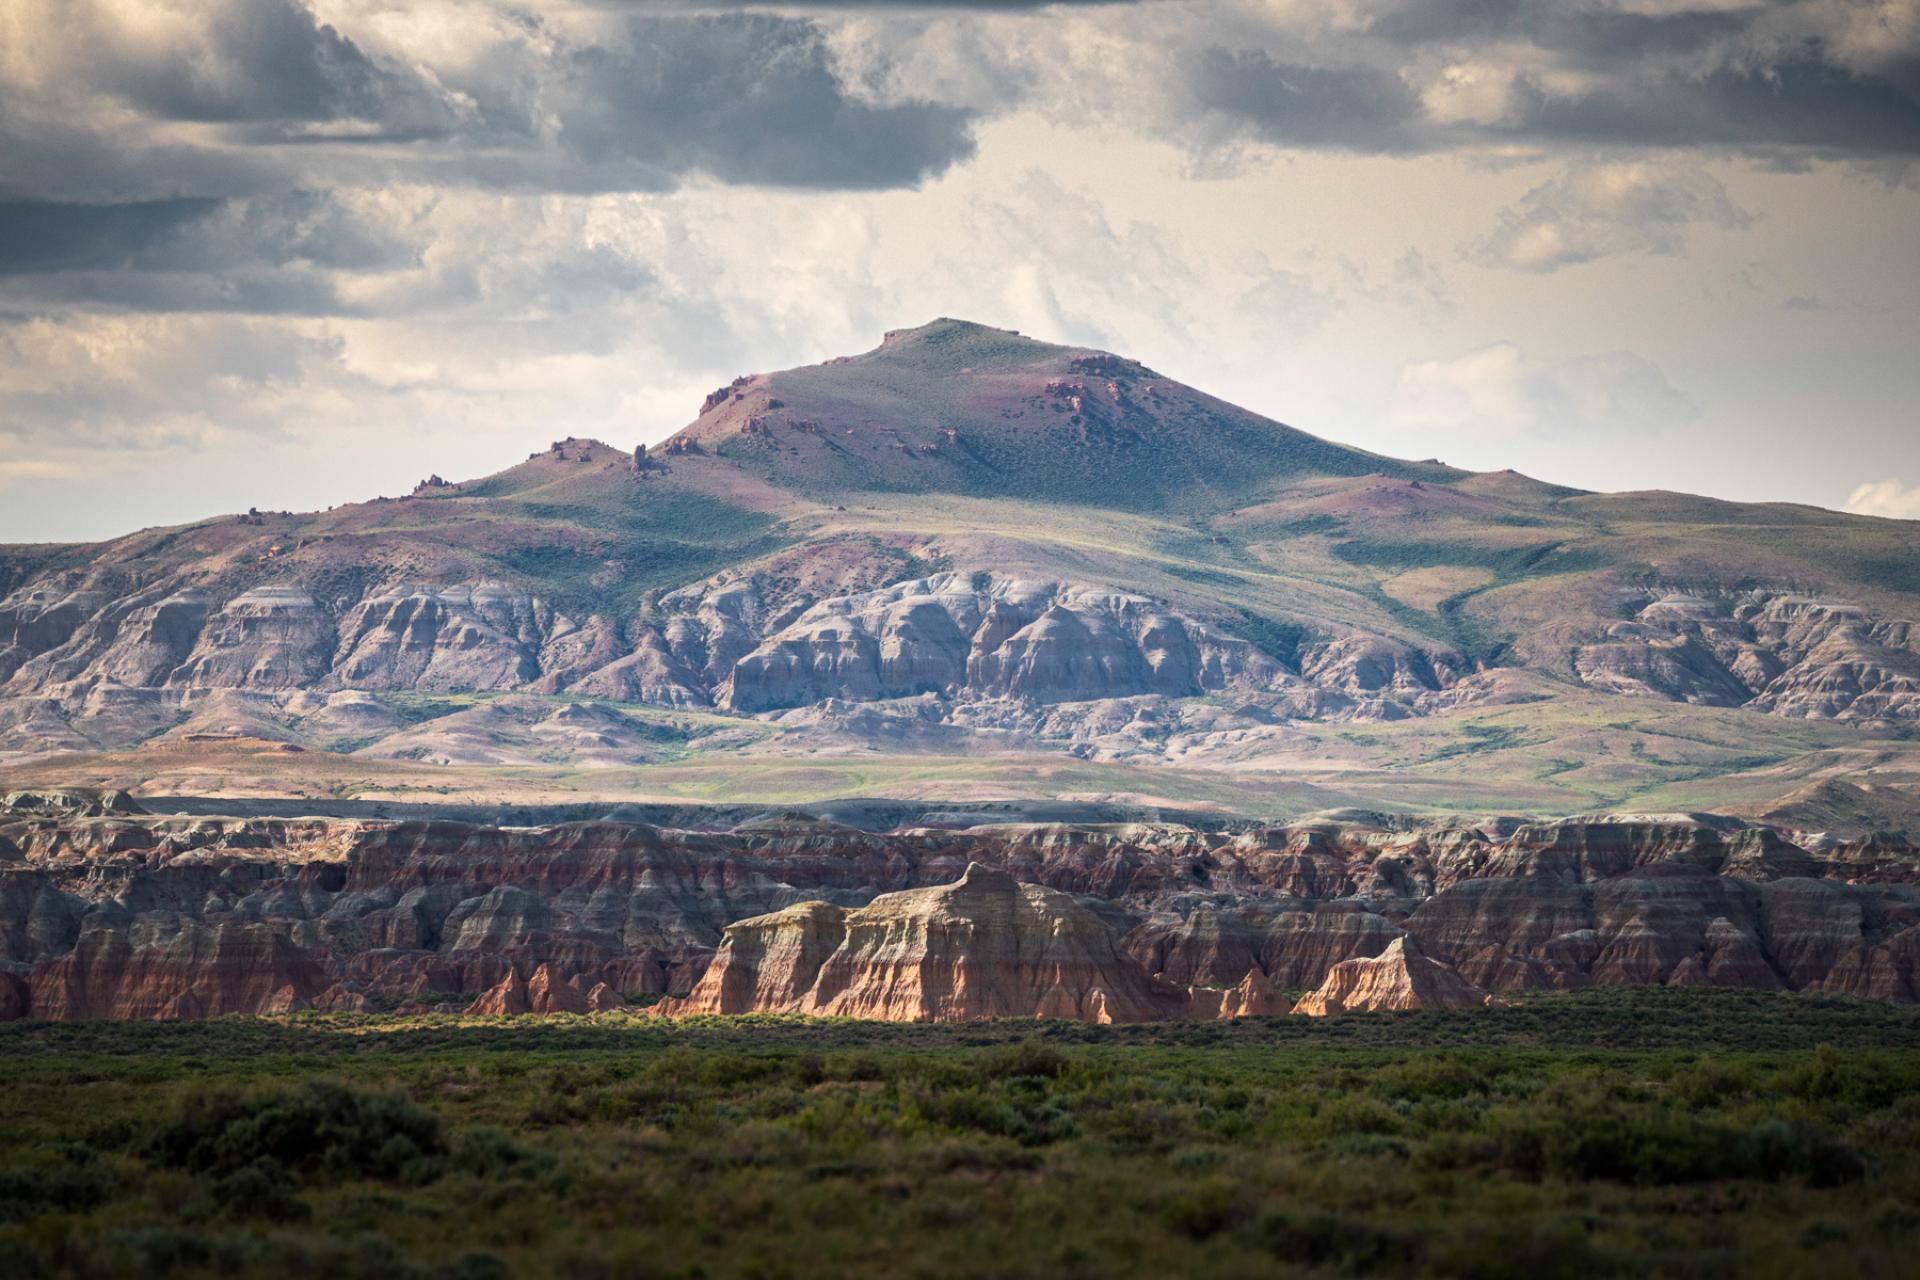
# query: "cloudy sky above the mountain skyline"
{"points": [[289, 254]]}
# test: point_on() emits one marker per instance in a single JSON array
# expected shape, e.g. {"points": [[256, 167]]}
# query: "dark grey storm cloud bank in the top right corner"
{"points": [[1767, 78]]}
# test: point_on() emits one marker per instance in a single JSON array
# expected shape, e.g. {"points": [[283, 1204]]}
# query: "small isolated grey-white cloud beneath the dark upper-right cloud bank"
{"points": [[1595, 212]]}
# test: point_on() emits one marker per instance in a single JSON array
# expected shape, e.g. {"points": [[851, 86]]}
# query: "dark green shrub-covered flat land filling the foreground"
{"points": [[1631, 1131]]}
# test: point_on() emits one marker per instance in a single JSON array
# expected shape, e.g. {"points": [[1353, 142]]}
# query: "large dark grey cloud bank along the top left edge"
{"points": [[128, 105]]}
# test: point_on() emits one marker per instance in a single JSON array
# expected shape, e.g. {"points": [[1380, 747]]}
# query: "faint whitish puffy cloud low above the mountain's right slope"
{"points": [[1502, 391]]}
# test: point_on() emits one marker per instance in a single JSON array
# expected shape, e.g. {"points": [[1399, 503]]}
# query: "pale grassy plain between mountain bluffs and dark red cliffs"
{"points": [[1572, 753]]}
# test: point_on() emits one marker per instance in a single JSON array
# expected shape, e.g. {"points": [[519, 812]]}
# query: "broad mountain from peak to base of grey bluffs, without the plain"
{"points": [[1105, 540]]}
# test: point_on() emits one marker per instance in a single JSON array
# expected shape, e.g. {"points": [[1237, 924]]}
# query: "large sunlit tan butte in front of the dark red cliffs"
{"points": [[982, 947]]}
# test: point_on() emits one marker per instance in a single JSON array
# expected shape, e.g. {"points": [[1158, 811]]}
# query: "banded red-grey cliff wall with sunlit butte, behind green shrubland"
{"points": [[116, 914]]}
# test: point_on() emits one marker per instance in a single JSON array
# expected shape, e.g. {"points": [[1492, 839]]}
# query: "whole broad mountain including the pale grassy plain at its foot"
{"points": [[976, 565]]}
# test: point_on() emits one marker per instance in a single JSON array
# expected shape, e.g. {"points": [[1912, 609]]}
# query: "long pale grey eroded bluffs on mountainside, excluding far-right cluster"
{"points": [[124, 665]]}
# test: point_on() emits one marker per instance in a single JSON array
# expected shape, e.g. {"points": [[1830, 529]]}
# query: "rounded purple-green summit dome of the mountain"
{"points": [[965, 408]]}
